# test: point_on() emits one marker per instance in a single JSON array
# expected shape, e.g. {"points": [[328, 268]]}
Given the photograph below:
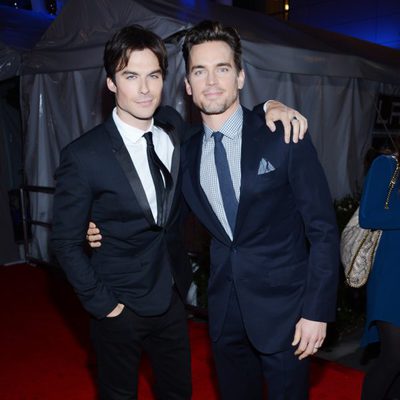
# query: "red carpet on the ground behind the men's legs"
{"points": [[45, 340]]}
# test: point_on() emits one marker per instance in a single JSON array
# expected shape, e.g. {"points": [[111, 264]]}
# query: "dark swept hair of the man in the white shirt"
{"points": [[128, 39]]}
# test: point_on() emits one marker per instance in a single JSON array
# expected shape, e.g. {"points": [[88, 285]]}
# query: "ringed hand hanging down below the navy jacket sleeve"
{"points": [[309, 336]]}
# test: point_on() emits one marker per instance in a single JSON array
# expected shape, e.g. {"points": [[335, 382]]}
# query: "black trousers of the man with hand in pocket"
{"points": [[119, 342]]}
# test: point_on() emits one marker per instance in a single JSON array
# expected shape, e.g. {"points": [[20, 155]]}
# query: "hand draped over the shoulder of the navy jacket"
{"points": [[290, 118]]}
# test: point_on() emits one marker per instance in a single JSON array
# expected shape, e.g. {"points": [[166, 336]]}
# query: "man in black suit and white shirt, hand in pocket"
{"points": [[123, 175]]}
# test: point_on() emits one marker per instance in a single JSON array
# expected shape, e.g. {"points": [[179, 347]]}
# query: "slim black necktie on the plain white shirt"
{"points": [[156, 169]]}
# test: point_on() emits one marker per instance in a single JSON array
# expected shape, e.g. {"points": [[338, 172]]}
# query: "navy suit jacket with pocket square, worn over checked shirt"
{"points": [[283, 259]]}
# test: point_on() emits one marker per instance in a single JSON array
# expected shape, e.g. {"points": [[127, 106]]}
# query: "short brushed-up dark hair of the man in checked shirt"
{"points": [[211, 31]]}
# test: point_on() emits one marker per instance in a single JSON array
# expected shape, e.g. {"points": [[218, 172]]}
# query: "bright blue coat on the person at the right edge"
{"points": [[383, 288]]}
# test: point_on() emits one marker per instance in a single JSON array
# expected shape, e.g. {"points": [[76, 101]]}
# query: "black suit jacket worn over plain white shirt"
{"points": [[138, 261]]}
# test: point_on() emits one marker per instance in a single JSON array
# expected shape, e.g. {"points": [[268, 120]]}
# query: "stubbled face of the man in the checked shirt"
{"points": [[213, 80]]}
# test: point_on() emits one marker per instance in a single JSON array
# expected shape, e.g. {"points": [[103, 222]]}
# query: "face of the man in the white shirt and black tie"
{"points": [[138, 88]]}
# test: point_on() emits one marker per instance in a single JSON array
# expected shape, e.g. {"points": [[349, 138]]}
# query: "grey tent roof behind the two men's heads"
{"points": [[76, 39]]}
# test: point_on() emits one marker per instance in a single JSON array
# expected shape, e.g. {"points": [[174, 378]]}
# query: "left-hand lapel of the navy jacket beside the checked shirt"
{"points": [[207, 215]]}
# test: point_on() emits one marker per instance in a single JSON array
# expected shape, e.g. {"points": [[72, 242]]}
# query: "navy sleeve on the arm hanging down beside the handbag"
{"points": [[314, 202]]}
